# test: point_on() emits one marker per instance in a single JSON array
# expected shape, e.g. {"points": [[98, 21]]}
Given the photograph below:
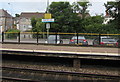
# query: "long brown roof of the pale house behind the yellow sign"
{"points": [[29, 14]]}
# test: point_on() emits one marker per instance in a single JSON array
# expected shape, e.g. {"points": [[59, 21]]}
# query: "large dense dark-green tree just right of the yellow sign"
{"points": [[65, 19]]}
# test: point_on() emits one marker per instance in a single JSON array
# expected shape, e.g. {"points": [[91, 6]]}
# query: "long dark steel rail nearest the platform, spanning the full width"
{"points": [[116, 77]]}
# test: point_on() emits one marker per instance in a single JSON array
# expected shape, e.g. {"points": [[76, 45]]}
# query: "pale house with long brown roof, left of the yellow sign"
{"points": [[23, 22]]}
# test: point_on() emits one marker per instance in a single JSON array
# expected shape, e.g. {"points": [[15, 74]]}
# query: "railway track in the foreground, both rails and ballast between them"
{"points": [[69, 75]]}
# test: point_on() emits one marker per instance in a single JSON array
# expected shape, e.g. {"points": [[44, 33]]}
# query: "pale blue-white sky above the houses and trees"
{"points": [[18, 6]]}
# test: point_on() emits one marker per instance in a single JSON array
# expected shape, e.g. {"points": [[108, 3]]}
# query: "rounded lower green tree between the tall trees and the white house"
{"points": [[93, 24]]}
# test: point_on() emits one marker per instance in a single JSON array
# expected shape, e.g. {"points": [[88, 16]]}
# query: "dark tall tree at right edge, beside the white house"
{"points": [[113, 9]]}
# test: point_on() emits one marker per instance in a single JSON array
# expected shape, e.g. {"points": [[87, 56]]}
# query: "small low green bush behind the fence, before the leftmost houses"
{"points": [[12, 33]]}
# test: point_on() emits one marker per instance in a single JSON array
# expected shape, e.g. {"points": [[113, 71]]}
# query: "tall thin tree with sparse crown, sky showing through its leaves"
{"points": [[81, 9]]}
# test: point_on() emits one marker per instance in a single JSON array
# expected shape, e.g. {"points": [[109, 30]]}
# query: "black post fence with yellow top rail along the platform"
{"points": [[64, 38]]}
